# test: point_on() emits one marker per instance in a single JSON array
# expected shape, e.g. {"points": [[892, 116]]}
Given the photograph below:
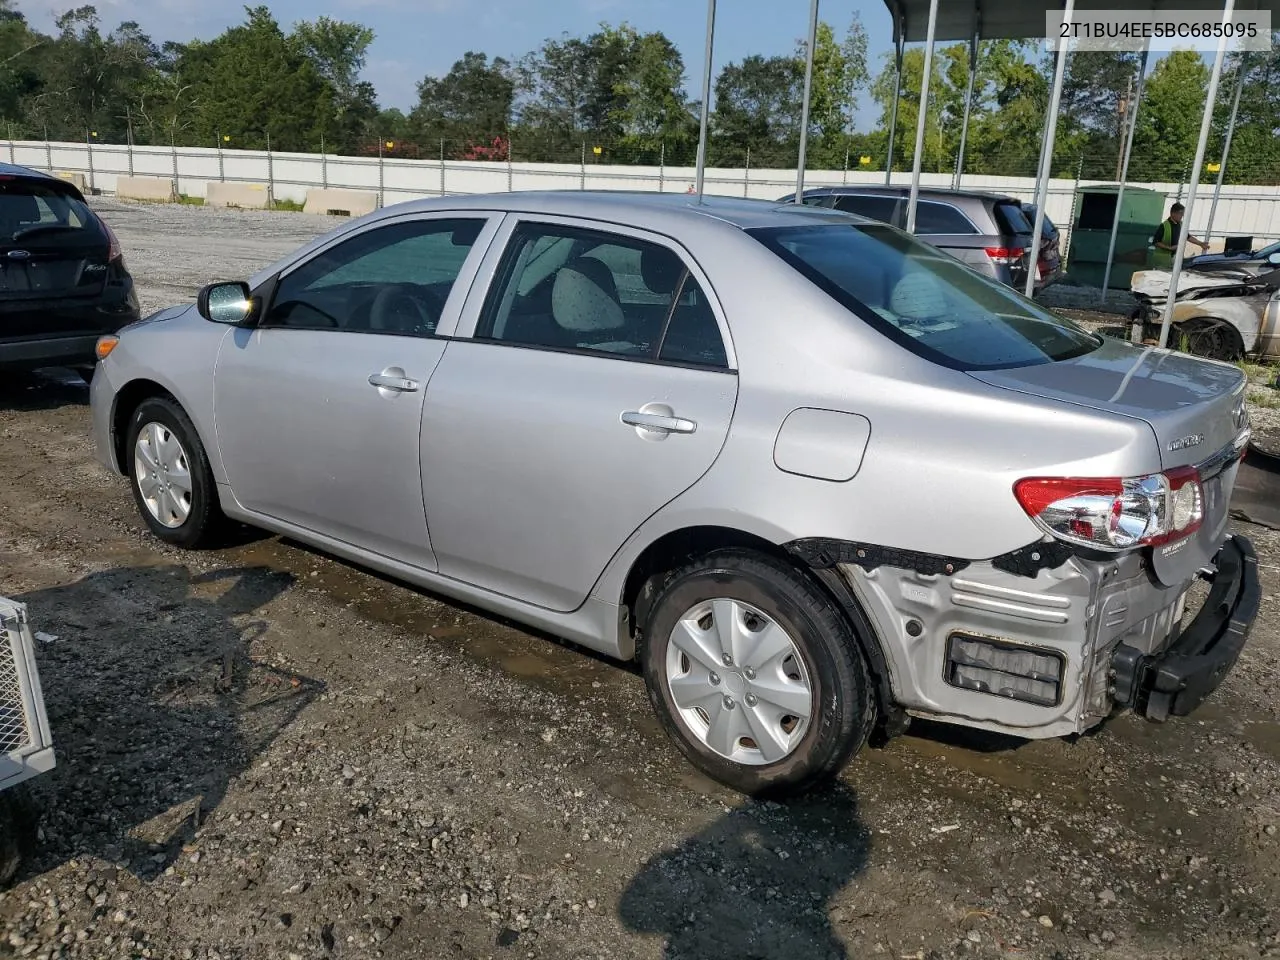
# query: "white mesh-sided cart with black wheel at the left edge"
{"points": [[26, 749]]}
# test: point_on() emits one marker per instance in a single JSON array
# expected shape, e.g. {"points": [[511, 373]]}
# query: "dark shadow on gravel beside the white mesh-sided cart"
{"points": [[156, 707]]}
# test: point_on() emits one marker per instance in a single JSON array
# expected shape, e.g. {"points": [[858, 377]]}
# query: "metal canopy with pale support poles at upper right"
{"points": [[971, 21]]}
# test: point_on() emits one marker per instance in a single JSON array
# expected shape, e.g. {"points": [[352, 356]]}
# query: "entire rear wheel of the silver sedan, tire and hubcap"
{"points": [[756, 674]]}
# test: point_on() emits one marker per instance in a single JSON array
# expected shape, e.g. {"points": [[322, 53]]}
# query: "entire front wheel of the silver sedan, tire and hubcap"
{"points": [[173, 484]]}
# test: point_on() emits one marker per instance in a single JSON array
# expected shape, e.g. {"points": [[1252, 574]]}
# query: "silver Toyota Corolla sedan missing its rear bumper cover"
{"points": [[817, 476]]}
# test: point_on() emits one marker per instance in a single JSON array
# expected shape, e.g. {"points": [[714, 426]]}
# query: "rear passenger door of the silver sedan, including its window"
{"points": [[597, 386]]}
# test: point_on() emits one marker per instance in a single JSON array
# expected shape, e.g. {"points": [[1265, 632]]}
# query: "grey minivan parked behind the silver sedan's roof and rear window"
{"points": [[986, 231]]}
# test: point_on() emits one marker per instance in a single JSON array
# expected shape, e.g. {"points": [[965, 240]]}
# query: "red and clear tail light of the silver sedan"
{"points": [[1117, 514]]}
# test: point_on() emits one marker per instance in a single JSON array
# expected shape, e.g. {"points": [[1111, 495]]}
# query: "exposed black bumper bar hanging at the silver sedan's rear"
{"points": [[1181, 678]]}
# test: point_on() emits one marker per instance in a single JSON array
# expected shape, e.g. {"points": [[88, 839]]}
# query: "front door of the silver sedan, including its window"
{"points": [[319, 408]]}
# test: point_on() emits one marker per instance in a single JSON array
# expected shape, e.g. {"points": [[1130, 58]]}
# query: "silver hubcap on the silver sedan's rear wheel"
{"points": [[739, 683]]}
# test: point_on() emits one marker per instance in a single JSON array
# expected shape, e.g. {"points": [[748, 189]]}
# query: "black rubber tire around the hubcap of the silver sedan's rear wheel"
{"points": [[844, 711]]}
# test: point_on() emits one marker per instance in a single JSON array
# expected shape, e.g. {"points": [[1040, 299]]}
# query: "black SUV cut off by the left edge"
{"points": [[63, 281]]}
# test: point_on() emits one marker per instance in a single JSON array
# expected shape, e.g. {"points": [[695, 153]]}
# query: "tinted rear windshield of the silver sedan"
{"points": [[925, 300]]}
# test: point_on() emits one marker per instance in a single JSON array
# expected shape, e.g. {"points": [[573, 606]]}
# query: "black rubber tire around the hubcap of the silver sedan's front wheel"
{"points": [[205, 523]]}
